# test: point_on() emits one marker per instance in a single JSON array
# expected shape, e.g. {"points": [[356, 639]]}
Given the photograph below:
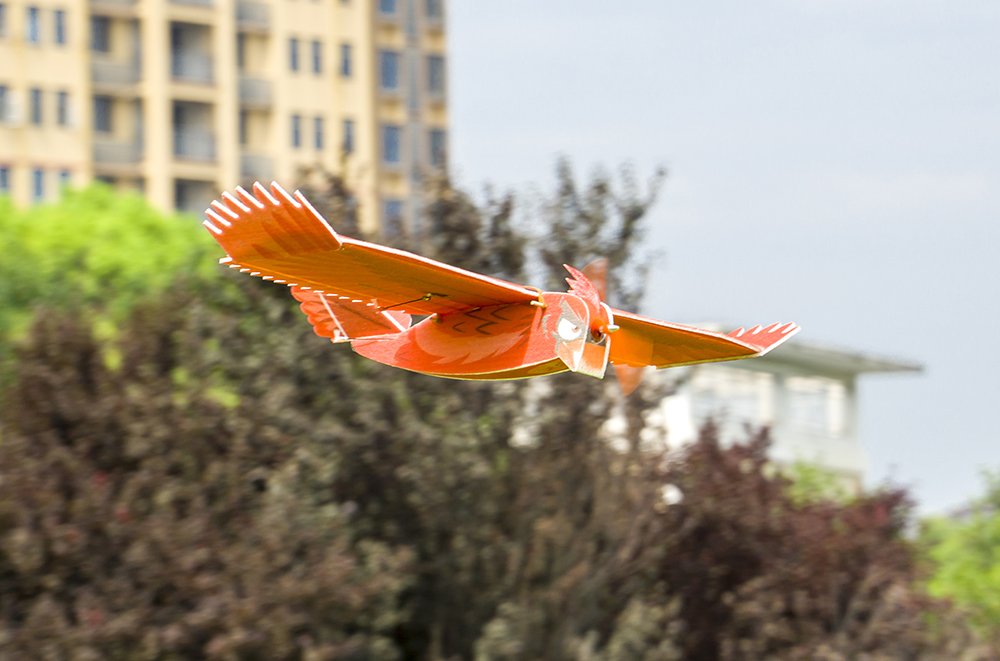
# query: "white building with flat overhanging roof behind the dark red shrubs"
{"points": [[806, 393]]}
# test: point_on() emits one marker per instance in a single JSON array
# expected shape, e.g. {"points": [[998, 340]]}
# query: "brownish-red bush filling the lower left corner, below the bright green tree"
{"points": [[132, 524]]}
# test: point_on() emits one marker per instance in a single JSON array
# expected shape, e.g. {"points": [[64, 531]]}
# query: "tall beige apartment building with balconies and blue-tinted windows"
{"points": [[183, 98]]}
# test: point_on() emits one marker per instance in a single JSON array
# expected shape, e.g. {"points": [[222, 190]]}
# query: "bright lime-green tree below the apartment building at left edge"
{"points": [[94, 248]]}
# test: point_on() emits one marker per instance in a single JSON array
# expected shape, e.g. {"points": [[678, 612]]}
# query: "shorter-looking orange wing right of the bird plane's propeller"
{"points": [[642, 341]]}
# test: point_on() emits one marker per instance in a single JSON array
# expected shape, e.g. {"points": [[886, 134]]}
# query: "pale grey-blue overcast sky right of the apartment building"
{"points": [[832, 163]]}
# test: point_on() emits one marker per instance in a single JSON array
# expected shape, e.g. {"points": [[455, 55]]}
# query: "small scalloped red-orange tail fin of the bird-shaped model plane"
{"points": [[342, 318]]}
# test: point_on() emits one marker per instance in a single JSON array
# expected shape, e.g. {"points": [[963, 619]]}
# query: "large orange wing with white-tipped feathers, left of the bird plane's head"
{"points": [[279, 237]]}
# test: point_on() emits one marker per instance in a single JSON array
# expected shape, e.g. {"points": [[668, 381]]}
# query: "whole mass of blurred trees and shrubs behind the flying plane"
{"points": [[188, 472]]}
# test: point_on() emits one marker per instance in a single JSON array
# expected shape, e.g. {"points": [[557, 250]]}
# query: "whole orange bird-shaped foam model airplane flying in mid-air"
{"points": [[477, 327]]}
